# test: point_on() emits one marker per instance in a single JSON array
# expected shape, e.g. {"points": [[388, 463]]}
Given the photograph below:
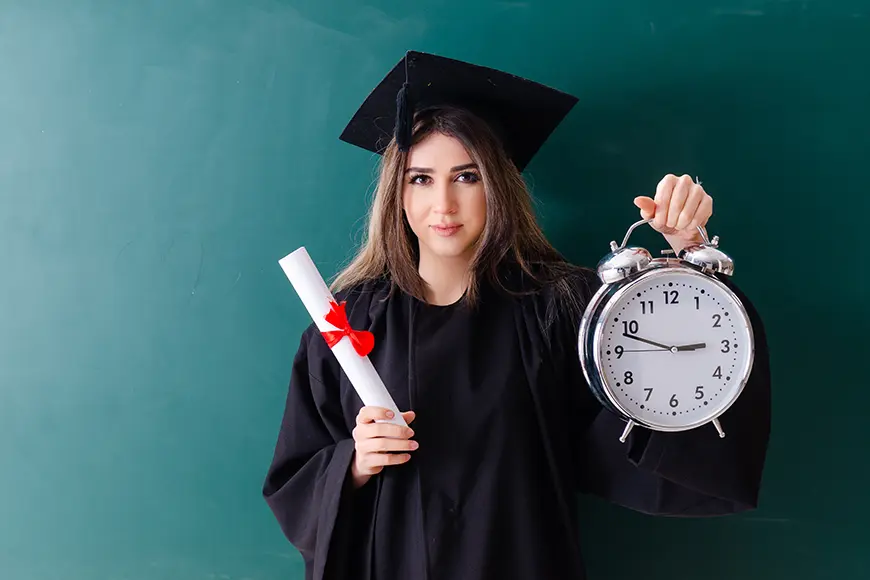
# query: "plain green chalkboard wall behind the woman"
{"points": [[158, 157]]}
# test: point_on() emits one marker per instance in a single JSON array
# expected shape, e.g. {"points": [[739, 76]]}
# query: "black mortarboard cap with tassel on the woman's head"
{"points": [[524, 113]]}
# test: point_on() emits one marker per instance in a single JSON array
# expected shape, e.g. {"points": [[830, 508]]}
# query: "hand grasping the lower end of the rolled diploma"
{"points": [[376, 441]]}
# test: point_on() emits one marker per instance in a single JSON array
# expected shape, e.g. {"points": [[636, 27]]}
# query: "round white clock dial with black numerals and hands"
{"points": [[674, 348]]}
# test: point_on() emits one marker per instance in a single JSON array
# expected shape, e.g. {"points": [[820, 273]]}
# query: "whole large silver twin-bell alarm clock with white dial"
{"points": [[664, 343]]}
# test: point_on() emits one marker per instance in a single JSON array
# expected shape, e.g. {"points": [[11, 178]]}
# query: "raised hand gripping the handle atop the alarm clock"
{"points": [[679, 208]]}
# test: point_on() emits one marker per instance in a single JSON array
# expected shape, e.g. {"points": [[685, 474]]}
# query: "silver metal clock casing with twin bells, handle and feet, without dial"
{"points": [[622, 270]]}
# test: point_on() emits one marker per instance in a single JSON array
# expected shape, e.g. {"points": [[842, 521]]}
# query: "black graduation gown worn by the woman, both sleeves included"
{"points": [[508, 433]]}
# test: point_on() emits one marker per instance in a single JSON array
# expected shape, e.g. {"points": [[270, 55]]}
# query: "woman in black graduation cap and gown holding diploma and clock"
{"points": [[475, 318]]}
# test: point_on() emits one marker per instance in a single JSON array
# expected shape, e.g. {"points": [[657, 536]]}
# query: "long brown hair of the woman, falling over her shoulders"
{"points": [[511, 233]]}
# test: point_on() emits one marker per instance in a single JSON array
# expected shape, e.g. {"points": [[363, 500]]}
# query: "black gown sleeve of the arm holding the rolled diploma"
{"points": [[307, 486]]}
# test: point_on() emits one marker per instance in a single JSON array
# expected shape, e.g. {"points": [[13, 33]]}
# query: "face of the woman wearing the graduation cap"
{"points": [[443, 198]]}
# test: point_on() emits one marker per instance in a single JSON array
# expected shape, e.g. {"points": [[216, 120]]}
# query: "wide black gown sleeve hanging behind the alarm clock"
{"points": [[690, 473]]}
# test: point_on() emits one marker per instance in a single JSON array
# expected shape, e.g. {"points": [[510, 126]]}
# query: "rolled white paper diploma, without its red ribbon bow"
{"points": [[315, 295]]}
